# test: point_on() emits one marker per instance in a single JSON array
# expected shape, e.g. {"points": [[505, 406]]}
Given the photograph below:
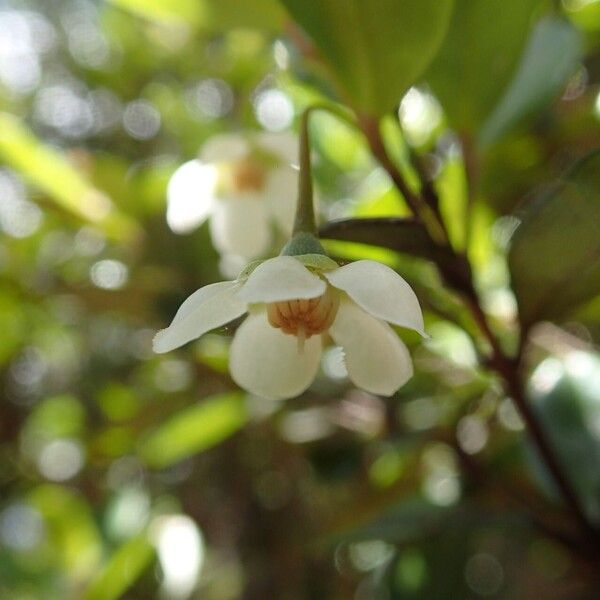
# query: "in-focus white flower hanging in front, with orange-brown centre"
{"points": [[277, 349]]}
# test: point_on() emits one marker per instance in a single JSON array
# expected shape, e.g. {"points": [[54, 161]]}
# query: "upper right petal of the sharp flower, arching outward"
{"points": [[381, 292]]}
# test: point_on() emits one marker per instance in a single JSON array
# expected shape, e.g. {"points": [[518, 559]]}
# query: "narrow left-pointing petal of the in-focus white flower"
{"points": [[208, 308]]}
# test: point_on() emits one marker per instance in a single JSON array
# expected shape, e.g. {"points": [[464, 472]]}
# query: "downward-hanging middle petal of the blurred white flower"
{"points": [[239, 225]]}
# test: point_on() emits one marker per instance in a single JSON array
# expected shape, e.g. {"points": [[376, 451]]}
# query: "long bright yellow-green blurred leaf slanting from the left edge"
{"points": [[51, 172]]}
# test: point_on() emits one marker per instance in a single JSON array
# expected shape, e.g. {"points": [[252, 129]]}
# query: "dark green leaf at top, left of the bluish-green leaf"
{"points": [[478, 57]]}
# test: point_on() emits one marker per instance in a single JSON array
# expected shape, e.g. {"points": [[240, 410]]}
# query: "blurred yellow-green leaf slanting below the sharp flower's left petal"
{"points": [[194, 429]]}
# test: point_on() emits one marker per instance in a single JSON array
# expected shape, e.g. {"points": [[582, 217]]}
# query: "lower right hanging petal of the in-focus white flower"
{"points": [[376, 359]]}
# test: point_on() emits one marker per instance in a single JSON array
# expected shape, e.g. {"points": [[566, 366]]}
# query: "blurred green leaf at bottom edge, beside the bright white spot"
{"points": [[122, 570]]}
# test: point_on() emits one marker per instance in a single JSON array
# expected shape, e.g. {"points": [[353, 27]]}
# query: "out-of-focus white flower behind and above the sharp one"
{"points": [[244, 184]]}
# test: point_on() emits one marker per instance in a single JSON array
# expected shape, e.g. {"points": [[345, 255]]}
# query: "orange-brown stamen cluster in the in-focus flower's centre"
{"points": [[304, 318]]}
